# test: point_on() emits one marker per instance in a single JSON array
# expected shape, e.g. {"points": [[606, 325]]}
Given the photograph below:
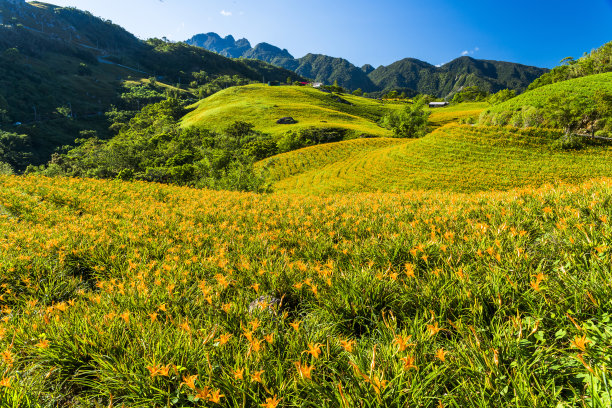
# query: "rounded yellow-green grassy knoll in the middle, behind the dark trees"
{"points": [[263, 106]]}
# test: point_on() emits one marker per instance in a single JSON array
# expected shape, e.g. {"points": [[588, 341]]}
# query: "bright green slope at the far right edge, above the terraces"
{"points": [[583, 88]]}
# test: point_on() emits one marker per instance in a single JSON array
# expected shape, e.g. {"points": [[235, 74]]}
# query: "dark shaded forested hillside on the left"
{"points": [[54, 57]]}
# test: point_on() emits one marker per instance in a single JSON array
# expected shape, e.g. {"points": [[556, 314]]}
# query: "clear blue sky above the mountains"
{"points": [[531, 32]]}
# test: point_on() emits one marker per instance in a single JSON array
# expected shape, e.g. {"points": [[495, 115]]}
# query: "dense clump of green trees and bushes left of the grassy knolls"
{"points": [[152, 147]]}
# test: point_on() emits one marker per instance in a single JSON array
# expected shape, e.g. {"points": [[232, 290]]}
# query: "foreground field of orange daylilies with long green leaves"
{"points": [[140, 295]]}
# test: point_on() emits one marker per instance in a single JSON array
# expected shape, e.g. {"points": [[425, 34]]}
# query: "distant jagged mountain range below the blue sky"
{"points": [[407, 74]]}
